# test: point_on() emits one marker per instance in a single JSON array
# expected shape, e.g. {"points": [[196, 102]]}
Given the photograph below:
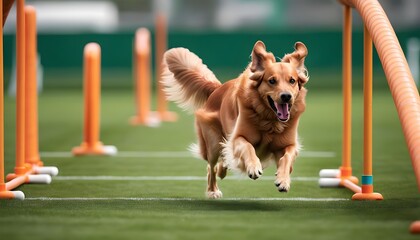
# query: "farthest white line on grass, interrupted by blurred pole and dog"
{"points": [[175, 154]]}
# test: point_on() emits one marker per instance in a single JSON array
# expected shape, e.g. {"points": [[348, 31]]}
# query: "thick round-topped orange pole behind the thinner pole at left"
{"points": [[31, 96]]}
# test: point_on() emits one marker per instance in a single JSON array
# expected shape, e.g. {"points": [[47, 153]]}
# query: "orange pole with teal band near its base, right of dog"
{"points": [[367, 178]]}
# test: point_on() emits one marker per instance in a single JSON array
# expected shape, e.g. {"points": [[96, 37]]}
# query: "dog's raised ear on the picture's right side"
{"points": [[297, 59]]}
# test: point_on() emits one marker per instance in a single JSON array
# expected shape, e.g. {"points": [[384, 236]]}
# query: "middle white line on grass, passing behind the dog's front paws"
{"points": [[166, 178]]}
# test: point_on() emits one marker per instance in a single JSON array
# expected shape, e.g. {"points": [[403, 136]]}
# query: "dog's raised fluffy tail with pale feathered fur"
{"points": [[187, 81]]}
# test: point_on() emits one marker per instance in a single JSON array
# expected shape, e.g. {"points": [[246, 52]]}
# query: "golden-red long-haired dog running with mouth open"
{"points": [[245, 123]]}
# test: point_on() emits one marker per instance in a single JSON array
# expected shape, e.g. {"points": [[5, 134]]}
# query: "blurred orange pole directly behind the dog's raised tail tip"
{"points": [[161, 46]]}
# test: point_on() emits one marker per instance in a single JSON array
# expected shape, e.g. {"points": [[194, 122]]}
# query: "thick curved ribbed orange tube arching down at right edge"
{"points": [[400, 80]]}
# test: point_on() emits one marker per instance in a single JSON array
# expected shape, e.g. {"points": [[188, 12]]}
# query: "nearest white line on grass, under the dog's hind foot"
{"points": [[302, 199]]}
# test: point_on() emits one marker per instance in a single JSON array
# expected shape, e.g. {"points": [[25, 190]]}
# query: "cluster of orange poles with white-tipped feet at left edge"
{"points": [[28, 167]]}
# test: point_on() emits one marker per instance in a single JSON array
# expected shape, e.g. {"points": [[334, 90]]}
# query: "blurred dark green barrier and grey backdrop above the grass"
{"points": [[222, 33]]}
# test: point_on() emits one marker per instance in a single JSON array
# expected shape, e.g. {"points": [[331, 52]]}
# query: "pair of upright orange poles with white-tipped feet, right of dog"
{"points": [[343, 177]]}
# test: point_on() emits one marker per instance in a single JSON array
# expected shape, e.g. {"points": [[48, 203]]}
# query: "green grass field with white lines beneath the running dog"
{"points": [[154, 190]]}
